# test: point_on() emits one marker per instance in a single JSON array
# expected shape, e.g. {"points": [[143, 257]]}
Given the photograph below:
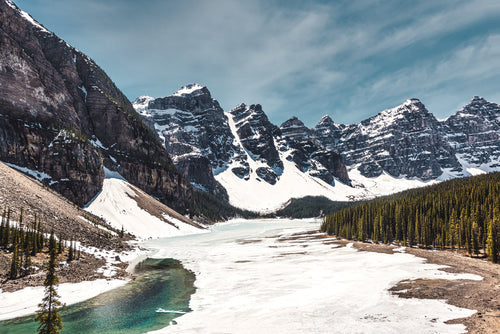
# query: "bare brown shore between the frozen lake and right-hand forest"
{"points": [[482, 296]]}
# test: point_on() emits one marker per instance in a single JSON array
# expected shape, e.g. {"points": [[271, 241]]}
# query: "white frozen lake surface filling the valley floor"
{"points": [[280, 276]]}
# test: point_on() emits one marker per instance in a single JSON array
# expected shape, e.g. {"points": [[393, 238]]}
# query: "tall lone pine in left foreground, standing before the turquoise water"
{"points": [[48, 315]]}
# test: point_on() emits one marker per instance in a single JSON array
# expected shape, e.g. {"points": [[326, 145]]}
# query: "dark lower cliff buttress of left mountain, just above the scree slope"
{"points": [[78, 170]]}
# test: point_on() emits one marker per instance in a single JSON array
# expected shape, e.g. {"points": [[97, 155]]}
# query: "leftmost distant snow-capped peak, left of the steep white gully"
{"points": [[195, 131]]}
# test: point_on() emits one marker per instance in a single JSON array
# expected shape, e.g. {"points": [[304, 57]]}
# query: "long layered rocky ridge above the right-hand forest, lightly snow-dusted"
{"points": [[408, 141]]}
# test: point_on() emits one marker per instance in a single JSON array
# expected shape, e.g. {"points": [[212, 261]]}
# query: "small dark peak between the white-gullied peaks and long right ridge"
{"points": [[309, 156]]}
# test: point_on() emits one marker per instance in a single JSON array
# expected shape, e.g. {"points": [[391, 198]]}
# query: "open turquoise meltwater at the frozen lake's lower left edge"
{"points": [[161, 284]]}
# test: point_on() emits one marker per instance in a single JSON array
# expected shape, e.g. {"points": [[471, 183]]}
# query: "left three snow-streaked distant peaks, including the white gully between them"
{"points": [[194, 128]]}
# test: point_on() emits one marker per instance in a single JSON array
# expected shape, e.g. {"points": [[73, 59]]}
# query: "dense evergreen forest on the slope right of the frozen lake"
{"points": [[462, 214]]}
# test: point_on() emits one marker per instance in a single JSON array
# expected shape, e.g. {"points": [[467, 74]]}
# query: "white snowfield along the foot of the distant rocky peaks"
{"points": [[253, 193]]}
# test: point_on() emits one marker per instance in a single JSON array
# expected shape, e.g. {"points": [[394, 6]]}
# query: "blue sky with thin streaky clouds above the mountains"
{"points": [[349, 59]]}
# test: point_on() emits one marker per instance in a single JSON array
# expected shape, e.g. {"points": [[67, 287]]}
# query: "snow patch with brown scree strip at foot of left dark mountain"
{"points": [[124, 205]]}
